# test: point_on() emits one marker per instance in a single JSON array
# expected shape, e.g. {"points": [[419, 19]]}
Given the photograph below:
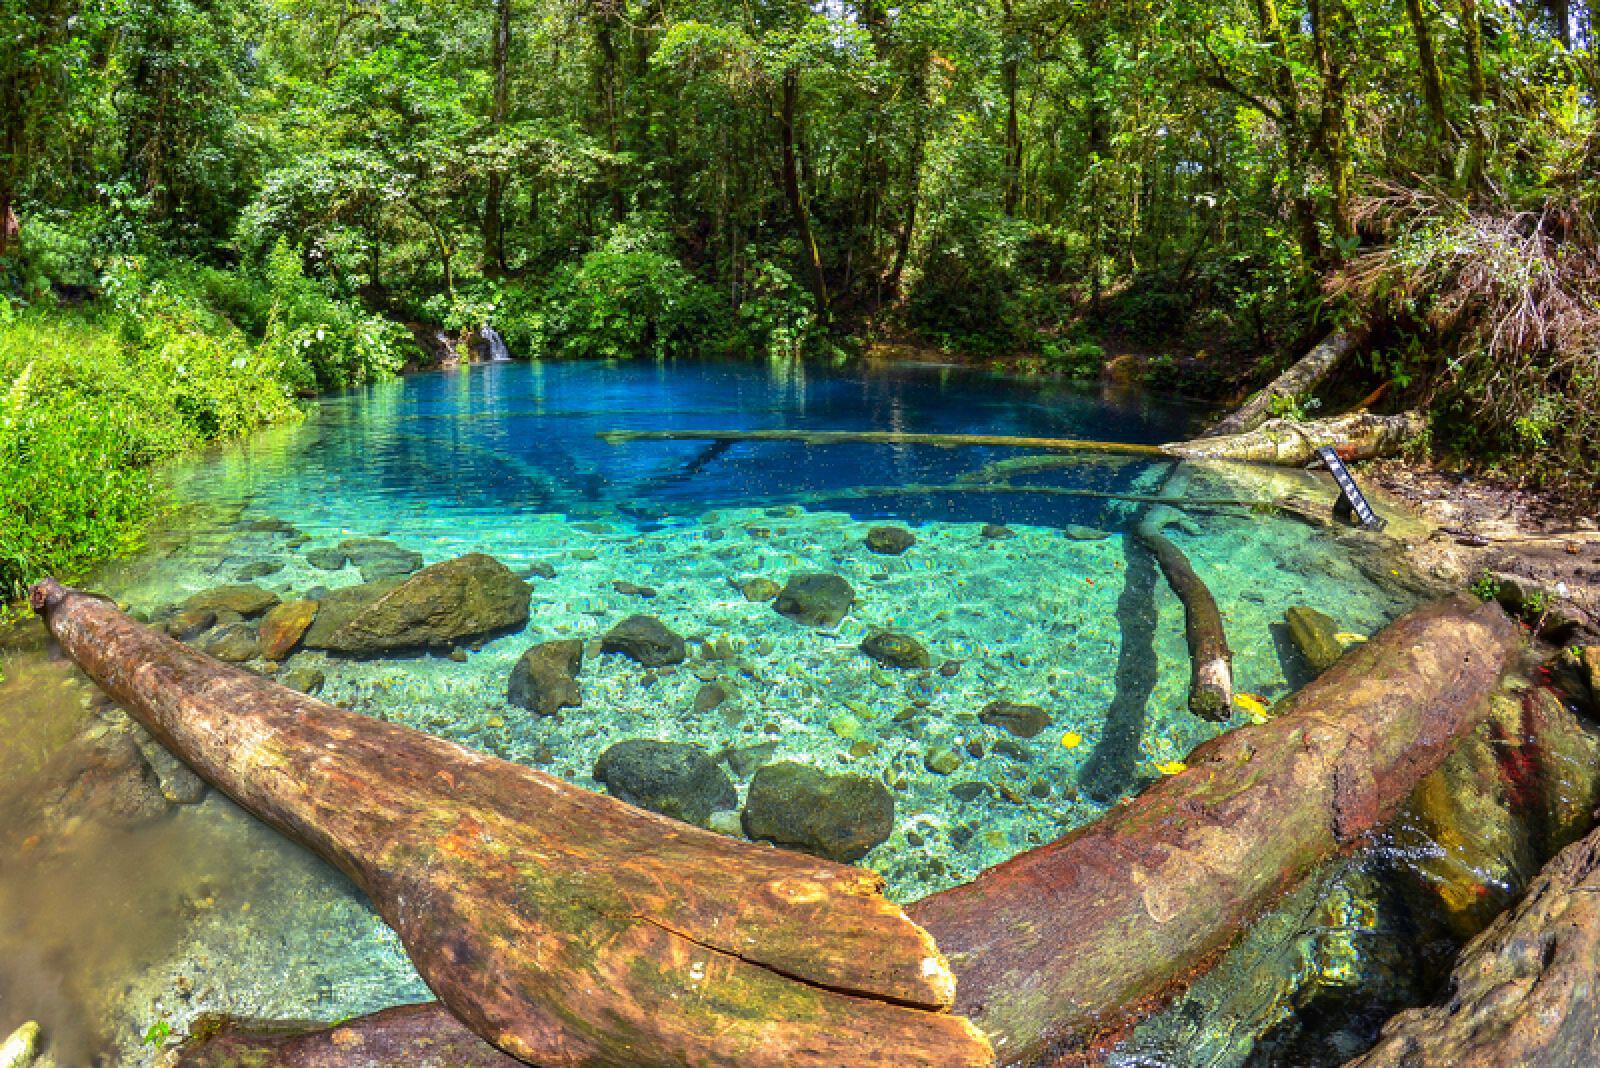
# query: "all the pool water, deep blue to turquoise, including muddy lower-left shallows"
{"points": [[503, 460]]}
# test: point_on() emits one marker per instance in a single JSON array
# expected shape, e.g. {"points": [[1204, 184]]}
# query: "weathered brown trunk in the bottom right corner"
{"points": [[1524, 992]]}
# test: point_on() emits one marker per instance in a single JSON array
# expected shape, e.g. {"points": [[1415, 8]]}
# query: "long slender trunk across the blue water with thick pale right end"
{"points": [[1278, 442]]}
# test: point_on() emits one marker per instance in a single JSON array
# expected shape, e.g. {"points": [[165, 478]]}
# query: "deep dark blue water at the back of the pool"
{"points": [[519, 437]]}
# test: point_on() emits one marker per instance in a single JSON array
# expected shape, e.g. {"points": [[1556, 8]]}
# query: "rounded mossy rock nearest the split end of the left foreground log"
{"points": [[839, 818]]}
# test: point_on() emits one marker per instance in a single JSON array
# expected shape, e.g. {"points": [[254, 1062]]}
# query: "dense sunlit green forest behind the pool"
{"points": [[274, 188]]}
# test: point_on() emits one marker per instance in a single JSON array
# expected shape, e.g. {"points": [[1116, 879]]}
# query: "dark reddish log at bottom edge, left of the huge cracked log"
{"points": [[407, 1037]]}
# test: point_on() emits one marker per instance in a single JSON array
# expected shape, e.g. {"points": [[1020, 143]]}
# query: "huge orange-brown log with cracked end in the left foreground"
{"points": [[564, 927]]}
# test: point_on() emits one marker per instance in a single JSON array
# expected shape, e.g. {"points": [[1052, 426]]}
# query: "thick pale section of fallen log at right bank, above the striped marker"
{"points": [[1290, 444]]}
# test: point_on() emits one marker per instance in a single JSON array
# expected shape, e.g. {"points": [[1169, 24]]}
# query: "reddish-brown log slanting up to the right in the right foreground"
{"points": [[1063, 946]]}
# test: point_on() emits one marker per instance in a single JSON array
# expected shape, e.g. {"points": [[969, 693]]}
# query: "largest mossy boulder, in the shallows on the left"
{"points": [[438, 608]]}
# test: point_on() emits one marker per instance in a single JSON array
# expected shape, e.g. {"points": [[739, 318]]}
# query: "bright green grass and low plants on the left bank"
{"points": [[94, 399]]}
